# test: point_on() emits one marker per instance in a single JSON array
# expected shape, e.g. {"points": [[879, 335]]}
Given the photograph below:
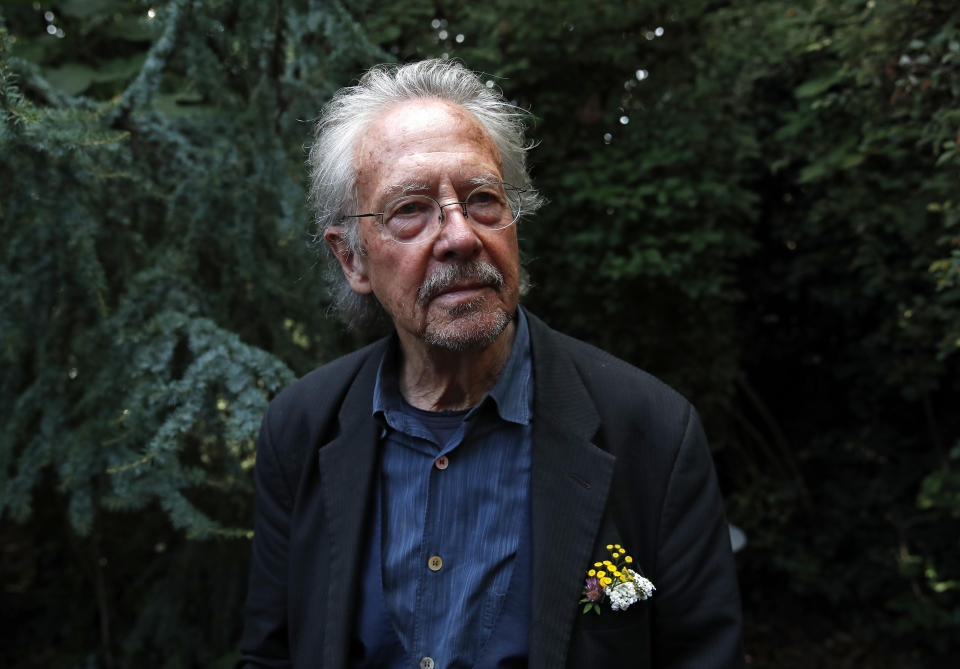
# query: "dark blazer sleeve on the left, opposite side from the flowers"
{"points": [[265, 639]]}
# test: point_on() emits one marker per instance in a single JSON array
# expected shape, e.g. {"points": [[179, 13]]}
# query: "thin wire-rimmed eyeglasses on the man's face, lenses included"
{"points": [[415, 219]]}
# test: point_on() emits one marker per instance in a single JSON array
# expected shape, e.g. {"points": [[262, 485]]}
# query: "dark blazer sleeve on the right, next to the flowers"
{"points": [[697, 618]]}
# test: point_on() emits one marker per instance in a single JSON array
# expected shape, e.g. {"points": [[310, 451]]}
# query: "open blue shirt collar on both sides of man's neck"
{"points": [[512, 395]]}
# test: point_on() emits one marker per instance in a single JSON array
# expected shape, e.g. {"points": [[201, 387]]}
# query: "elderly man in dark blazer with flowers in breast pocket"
{"points": [[476, 489]]}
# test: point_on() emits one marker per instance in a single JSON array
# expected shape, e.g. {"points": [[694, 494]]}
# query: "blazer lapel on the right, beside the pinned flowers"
{"points": [[570, 482]]}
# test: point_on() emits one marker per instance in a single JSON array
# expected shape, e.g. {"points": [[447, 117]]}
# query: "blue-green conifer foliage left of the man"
{"points": [[157, 289]]}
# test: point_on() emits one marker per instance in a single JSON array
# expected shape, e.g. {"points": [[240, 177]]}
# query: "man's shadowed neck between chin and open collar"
{"points": [[436, 379]]}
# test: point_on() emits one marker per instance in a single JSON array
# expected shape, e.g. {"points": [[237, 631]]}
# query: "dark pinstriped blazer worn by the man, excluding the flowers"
{"points": [[617, 457]]}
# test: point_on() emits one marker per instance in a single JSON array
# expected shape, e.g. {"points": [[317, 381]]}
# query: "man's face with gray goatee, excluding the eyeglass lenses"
{"points": [[445, 292]]}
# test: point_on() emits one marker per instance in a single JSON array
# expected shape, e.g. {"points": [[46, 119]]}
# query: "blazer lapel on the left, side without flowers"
{"points": [[348, 465]]}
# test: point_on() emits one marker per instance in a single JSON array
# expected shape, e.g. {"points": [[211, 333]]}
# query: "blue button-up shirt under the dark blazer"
{"points": [[451, 525]]}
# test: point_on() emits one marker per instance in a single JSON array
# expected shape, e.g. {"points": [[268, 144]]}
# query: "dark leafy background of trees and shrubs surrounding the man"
{"points": [[756, 201]]}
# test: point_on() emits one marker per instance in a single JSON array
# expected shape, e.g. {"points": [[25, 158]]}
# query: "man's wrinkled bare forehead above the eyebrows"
{"points": [[423, 139]]}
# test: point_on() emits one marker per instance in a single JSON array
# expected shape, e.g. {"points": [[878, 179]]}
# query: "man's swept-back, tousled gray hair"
{"points": [[343, 122]]}
